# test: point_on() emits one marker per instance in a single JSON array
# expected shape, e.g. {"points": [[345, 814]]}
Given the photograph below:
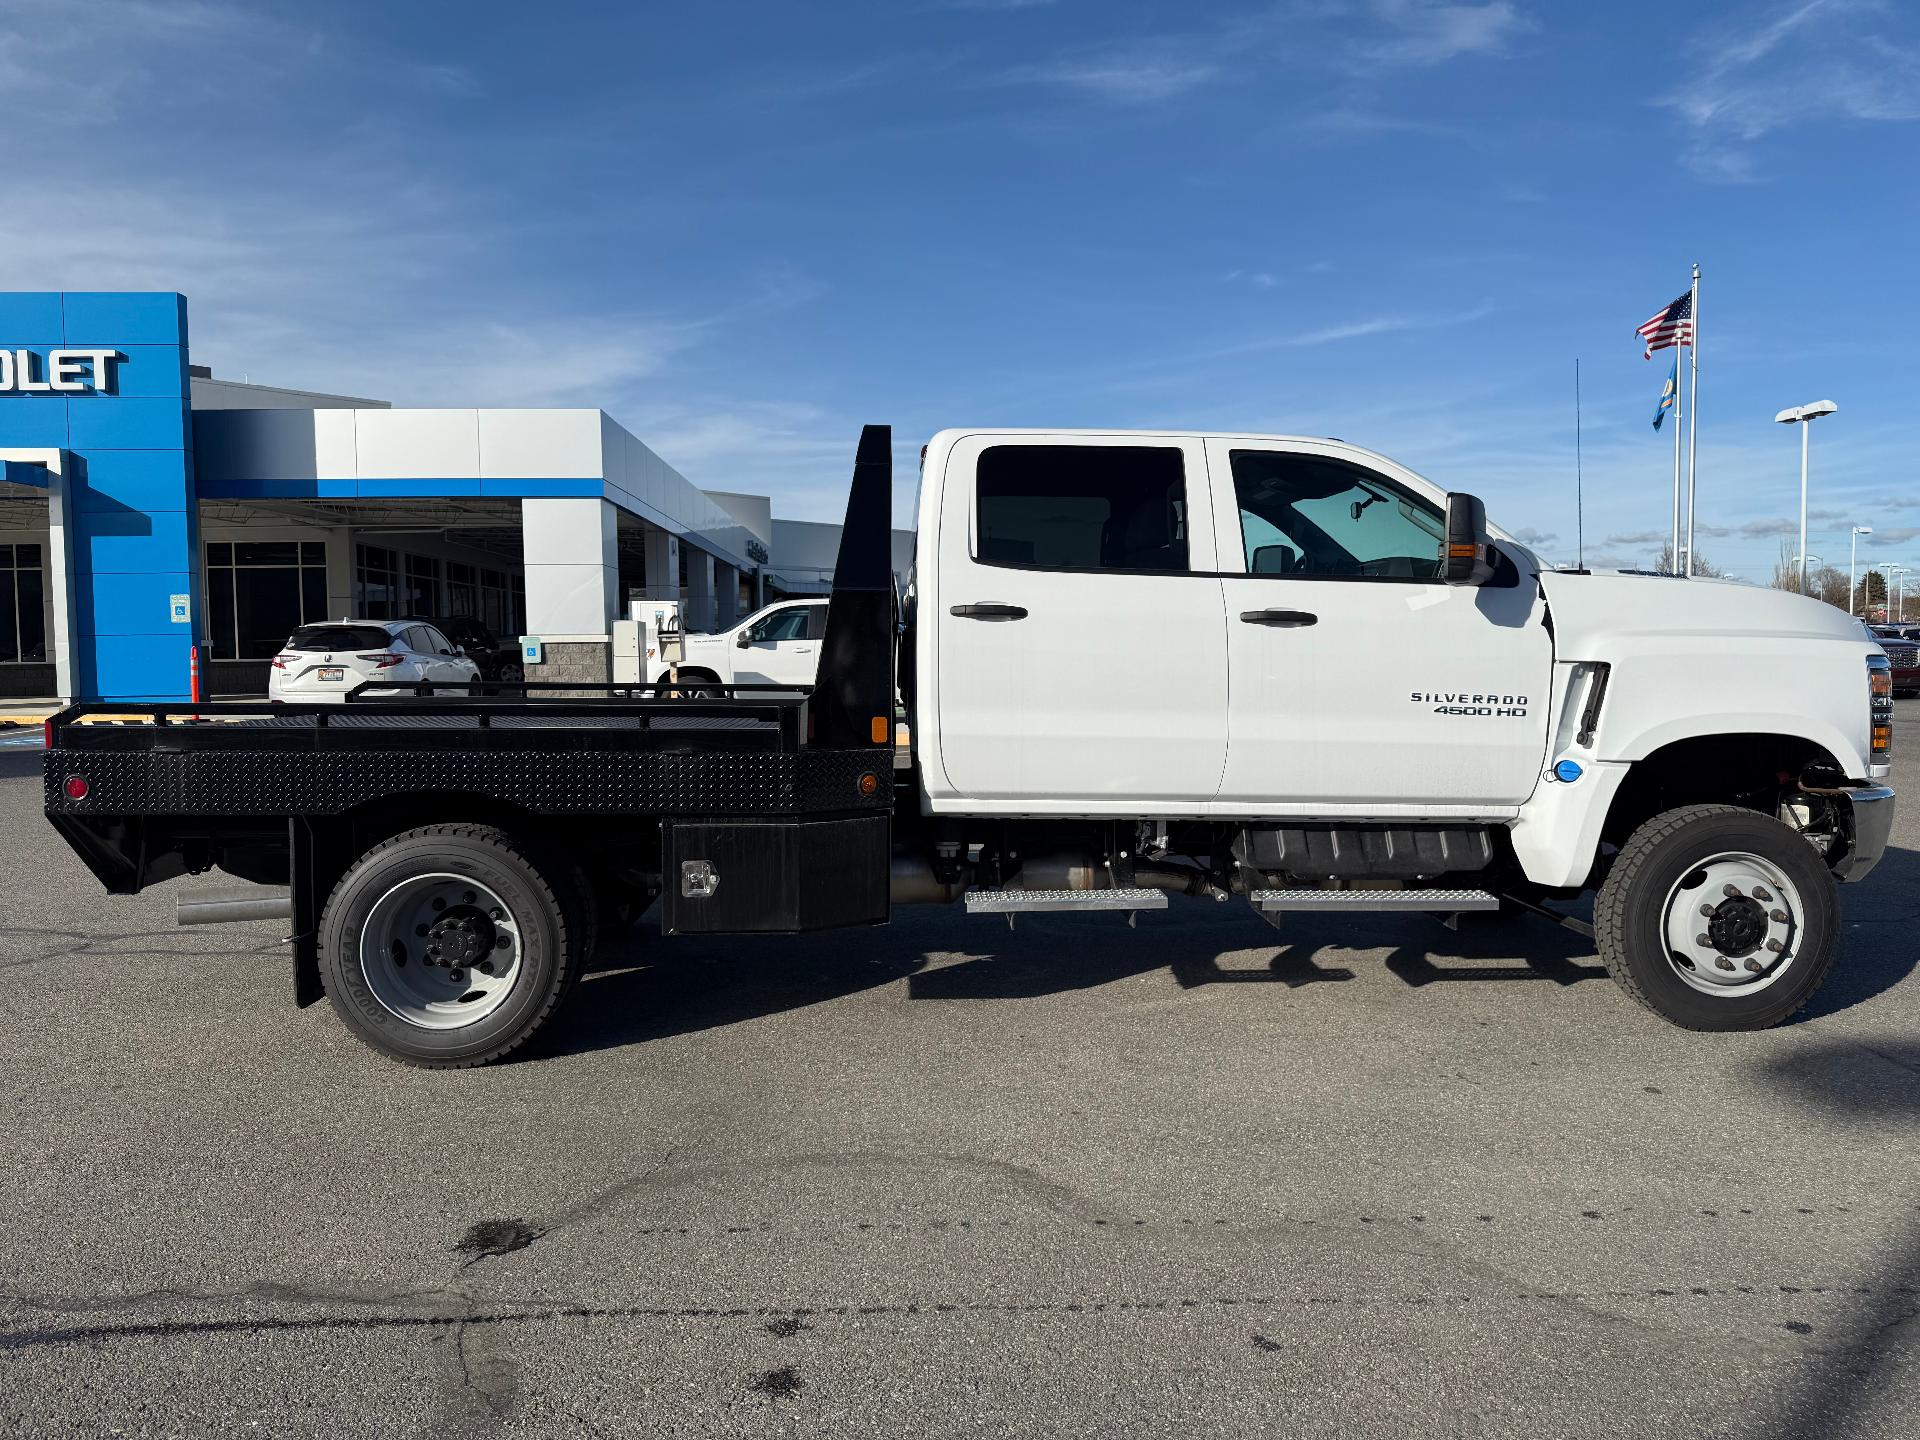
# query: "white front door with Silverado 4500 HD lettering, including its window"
{"points": [[1360, 679]]}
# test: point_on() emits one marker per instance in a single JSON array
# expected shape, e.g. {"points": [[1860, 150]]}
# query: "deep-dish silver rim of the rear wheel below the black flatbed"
{"points": [[479, 951]]}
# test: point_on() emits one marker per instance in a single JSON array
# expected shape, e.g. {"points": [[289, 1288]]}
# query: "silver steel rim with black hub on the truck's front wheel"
{"points": [[1733, 924]]}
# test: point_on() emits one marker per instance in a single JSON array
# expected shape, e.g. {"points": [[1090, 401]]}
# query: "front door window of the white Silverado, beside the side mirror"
{"points": [[1307, 516]]}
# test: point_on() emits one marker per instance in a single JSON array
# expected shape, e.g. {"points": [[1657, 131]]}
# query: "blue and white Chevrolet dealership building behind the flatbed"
{"points": [[151, 508]]}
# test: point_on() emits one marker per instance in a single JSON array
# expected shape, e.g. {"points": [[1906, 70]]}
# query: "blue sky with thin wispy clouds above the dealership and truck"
{"points": [[744, 229]]}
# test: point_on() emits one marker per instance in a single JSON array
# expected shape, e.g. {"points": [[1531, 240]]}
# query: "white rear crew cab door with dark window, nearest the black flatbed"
{"points": [[1080, 638]]}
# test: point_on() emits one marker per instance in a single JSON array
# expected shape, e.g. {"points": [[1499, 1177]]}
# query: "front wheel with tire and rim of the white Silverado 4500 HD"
{"points": [[1717, 919]]}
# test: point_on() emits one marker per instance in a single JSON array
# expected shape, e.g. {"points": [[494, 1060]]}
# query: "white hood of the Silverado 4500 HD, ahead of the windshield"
{"points": [[1591, 612]]}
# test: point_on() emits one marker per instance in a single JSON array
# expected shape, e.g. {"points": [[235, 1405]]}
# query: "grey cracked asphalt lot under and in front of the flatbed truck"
{"points": [[1353, 1178]]}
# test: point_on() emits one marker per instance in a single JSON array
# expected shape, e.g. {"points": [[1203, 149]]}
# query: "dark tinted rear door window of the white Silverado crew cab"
{"points": [[1082, 508]]}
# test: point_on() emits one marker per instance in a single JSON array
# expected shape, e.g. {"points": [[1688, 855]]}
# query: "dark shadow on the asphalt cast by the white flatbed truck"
{"points": [[648, 988]]}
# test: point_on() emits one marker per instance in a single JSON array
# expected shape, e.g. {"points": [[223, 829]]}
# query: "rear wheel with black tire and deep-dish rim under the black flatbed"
{"points": [[448, 948]]}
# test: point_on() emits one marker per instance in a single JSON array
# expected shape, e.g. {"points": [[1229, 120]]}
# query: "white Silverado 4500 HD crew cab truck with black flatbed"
{"points": [[1262, 669]]}
